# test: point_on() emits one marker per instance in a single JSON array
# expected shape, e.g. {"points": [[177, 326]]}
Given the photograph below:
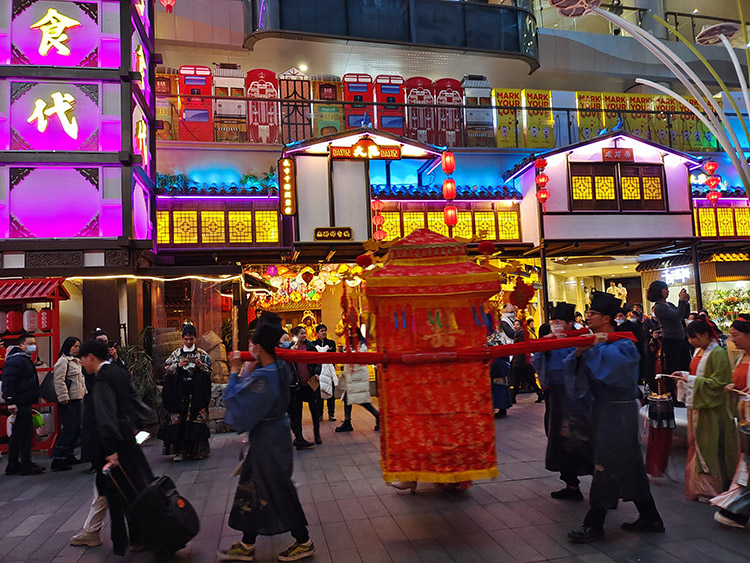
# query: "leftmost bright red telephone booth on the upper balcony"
{"points": [[196, 111]]}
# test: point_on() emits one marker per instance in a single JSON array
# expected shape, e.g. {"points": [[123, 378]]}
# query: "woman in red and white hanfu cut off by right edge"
{"points": [[734, 505]]}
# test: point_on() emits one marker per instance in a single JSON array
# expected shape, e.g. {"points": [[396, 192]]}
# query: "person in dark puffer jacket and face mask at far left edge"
{"points": [[21, 391]]}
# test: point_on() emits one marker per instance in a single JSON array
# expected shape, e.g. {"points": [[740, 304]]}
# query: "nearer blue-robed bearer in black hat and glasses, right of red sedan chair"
{"points": [[602, 378]]}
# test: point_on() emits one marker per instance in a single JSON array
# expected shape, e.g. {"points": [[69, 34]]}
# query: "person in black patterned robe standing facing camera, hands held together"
{"points": [[186, 395]]}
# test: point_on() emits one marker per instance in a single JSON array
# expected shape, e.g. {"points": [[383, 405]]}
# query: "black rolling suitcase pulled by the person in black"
{"points": [[167, 520]]}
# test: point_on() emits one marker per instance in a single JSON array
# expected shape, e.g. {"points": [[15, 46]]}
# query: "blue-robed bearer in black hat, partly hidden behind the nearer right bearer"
{"points": [[568, 442]]}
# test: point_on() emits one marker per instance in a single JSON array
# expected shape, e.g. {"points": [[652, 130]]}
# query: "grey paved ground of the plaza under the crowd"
{"points": [[356, 518]]}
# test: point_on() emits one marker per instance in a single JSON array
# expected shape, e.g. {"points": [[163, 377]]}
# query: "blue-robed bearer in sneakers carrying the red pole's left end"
{"points": [[266, 501]]}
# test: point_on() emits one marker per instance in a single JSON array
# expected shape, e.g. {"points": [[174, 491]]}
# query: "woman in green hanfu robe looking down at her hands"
{"points": [[712, 436]]}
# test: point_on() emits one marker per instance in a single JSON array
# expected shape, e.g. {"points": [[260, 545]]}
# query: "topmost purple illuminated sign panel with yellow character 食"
{"points": [[60, 33]]}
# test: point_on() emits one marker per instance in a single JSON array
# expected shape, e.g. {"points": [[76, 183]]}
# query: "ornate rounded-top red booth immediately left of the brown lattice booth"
{"points": [[263, 118]]}
